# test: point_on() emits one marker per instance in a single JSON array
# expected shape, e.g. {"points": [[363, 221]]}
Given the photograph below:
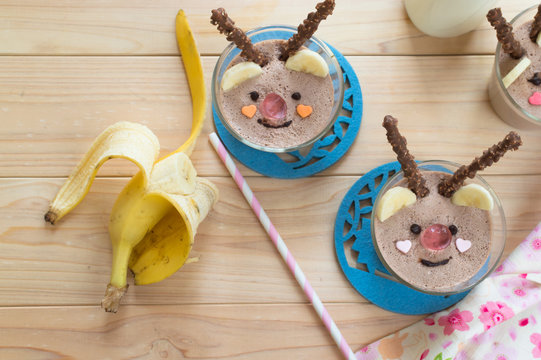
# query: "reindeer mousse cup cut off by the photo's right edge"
{"points": [[515, 85]]}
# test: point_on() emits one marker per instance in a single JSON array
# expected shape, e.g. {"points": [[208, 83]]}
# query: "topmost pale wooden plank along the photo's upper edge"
{"points": [[120, 27]]}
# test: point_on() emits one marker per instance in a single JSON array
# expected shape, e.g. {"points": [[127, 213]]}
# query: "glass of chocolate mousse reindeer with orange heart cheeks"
{"points": [[272, 102]]}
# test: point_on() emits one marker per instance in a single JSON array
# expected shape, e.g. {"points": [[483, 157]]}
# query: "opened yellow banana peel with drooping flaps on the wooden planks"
{"points": [[155, 217]]}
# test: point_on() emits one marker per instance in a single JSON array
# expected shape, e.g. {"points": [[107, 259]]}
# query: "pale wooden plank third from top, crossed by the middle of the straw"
{"points": [[69, 263]]}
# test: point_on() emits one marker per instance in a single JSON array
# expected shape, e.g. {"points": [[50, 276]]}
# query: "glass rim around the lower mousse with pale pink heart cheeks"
{"points": [[497, 204]]}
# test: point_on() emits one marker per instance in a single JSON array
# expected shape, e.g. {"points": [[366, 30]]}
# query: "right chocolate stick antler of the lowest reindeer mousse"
{"points": [[448, 186]]}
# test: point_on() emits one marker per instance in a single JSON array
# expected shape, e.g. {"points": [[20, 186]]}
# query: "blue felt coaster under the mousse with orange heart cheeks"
{"points": [[324, 152]]}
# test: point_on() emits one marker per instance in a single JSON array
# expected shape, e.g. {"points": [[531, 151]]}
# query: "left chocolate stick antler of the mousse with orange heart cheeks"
{"points": [[227, 26]]}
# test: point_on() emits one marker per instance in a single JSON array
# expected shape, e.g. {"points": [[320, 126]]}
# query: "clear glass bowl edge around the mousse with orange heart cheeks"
{"points": [[282, 33]]}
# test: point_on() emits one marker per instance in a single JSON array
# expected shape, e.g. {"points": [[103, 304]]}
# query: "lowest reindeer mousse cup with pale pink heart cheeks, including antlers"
{"points": [[437, 226]]}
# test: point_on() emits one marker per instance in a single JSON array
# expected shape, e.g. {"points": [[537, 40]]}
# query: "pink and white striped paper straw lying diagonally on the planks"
{"points": [[282, 248]]}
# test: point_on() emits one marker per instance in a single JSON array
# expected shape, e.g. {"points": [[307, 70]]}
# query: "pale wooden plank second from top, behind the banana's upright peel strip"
{"points": [[51, 108]]}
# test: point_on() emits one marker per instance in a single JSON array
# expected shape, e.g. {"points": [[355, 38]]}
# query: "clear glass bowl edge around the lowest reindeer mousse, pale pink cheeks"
{"points": [[497, 234]]}
